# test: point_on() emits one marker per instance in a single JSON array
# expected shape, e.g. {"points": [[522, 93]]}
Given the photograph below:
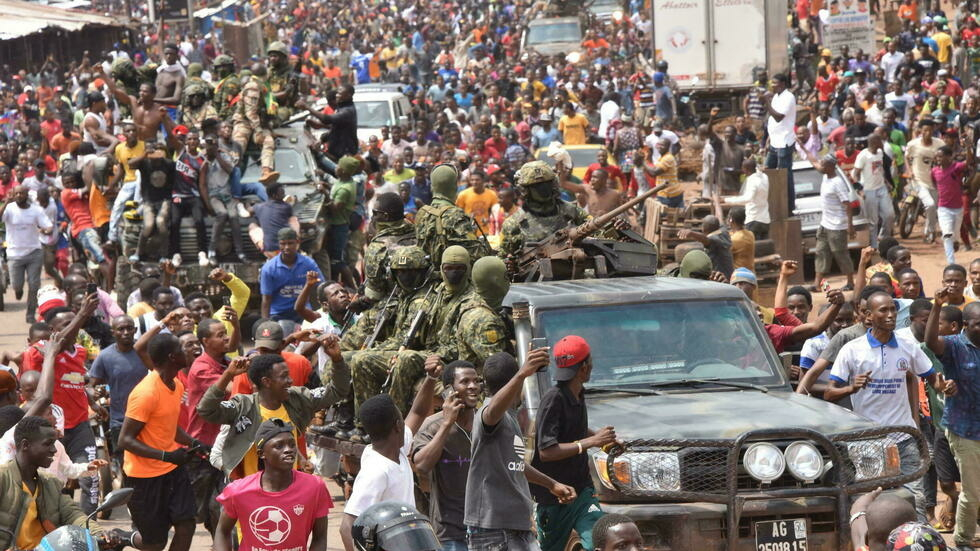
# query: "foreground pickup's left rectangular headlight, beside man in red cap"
{"points": [[650, 471]]}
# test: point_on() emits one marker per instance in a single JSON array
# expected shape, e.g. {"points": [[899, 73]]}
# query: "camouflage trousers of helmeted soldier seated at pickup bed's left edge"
{"points": [[369, 370]]}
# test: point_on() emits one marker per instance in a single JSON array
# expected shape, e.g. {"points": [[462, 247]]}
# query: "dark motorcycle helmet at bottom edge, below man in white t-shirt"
{"points": [[393, 526]]}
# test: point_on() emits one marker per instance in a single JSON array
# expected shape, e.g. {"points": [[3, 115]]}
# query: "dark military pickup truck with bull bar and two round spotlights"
{"points": [[719, 453]]}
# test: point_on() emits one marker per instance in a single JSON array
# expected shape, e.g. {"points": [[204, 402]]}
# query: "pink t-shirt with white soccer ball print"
{"points": [[276, 521]]}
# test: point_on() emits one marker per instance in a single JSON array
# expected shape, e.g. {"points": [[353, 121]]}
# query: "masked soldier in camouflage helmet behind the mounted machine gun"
{"points": [[544, 211]]}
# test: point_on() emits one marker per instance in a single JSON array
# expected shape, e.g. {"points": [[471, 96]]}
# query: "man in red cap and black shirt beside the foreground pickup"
{"points": [[563, 437]]}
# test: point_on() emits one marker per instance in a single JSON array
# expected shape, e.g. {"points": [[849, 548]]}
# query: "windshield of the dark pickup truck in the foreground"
{"points": [[664, 341]]}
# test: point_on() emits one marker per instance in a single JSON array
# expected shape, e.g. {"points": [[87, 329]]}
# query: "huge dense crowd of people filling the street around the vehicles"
{"points": [[209, 406]]}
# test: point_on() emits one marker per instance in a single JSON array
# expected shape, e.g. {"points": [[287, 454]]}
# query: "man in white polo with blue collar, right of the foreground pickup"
{"points": [[874, 371]]}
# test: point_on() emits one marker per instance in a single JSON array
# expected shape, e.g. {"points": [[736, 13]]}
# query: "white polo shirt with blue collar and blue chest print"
{"points": [[885, 400]]}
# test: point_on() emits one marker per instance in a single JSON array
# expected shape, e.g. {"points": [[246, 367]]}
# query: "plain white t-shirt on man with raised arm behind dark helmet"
{"points": [[382, 480]]}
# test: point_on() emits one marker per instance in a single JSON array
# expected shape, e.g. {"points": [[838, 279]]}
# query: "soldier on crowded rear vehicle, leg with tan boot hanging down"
{"points": [[252, 119]]}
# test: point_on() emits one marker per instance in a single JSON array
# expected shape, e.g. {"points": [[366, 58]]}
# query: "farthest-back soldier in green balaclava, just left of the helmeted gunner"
{"points": [[441, 223]]}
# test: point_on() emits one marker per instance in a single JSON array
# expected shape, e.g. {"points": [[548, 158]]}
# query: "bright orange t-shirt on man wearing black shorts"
{"points": [[158, 407]]}
